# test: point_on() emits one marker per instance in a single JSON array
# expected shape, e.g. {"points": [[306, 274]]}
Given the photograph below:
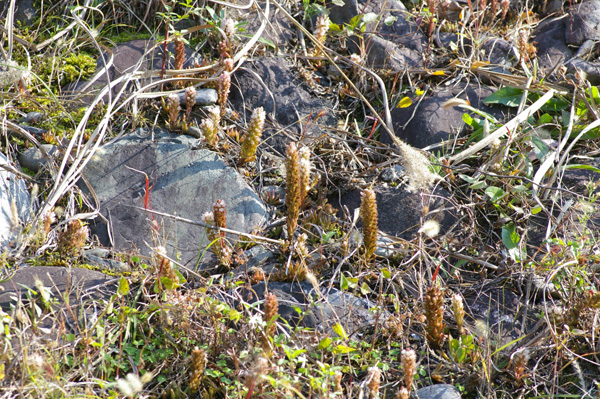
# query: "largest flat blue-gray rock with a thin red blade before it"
{"points": [[183, 182]]}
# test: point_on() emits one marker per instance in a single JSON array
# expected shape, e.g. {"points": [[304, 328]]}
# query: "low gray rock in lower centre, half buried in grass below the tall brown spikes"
{"points": [[319, 313]]}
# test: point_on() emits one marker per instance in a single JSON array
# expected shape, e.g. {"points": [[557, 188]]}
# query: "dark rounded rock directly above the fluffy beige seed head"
{"points": [[432, 124]]}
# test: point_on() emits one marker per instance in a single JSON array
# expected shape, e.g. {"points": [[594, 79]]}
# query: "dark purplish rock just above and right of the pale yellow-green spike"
{"points": [[271, 83]]}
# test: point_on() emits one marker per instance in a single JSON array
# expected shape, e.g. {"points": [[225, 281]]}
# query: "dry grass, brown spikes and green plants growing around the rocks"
{"points": [[168, 331]]}
